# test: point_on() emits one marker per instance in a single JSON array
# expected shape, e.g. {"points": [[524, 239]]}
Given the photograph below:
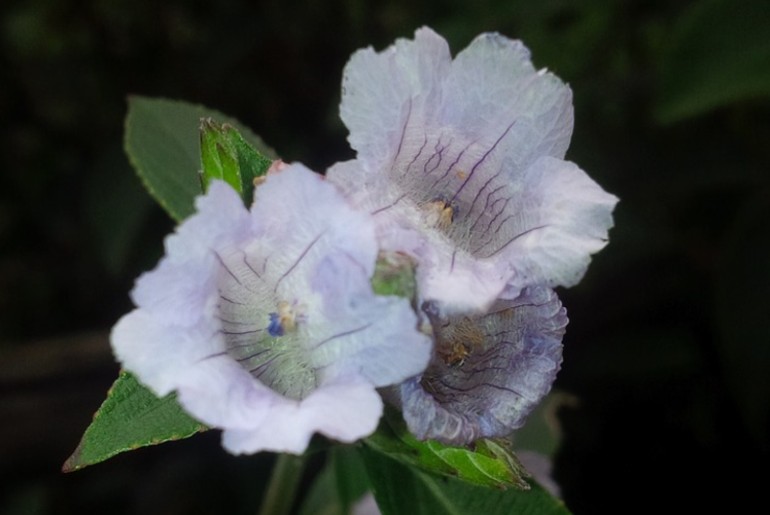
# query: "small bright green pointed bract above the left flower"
{"points": [[226, 155]]}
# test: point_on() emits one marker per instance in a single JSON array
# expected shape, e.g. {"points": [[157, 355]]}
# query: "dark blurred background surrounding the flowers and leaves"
{"points": [[668, 349]]}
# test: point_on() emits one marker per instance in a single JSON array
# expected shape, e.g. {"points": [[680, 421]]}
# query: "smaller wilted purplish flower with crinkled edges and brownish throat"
{"points": [[488, 371]]}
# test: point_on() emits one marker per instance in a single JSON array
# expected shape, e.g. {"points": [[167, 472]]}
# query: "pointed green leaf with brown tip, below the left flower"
{"points": [[130, 417]]}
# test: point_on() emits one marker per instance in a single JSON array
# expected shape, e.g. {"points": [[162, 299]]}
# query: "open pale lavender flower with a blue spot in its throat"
{"points": [[264, 321]]}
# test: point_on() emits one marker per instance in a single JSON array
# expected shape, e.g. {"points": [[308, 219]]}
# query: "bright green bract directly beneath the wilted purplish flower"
{"points": [[490, 463]]}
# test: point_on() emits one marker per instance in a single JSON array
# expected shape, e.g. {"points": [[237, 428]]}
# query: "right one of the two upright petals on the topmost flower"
{"points": [[493, 86]]}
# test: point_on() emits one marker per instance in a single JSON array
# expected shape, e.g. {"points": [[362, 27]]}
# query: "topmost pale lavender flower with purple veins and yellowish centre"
{"points": [[461, 161]]}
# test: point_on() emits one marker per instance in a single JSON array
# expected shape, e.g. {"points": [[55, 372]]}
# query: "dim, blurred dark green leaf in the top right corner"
{"points": [[719, 54]]}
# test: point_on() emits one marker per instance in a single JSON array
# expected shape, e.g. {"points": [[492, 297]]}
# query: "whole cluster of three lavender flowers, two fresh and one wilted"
{"points": [[264, 322]]}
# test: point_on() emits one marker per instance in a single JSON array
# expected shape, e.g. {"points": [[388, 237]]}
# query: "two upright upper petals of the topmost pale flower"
{"points": [[401, 100]]}
